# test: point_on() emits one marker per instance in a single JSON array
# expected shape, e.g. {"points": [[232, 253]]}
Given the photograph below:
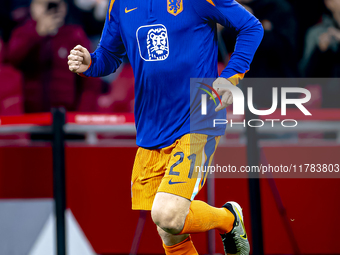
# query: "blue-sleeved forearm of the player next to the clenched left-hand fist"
{"points": [[103, 63]]}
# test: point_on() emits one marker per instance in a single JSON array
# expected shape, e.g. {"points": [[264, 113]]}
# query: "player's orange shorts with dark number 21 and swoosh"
{"points": [[174, 169]]}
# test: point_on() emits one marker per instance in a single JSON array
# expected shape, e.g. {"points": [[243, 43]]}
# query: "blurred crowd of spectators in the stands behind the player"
{"points": [[302, 39]]}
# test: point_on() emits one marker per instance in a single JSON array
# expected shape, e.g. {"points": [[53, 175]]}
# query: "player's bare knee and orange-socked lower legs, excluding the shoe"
{"points": [[171, 213]]}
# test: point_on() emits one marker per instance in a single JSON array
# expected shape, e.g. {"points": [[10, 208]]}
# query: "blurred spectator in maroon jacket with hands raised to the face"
{"points": [[39, 48]]}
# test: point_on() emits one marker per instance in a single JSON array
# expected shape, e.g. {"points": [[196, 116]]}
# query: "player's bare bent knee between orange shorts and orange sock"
{"points": [[167, 218]]}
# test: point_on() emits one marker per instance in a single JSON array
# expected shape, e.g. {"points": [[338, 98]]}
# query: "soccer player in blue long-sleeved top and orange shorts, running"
{"points": [[168, 42]]}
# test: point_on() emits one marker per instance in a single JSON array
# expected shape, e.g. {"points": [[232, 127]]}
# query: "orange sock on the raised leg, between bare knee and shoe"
{"points": [[203, 217]]}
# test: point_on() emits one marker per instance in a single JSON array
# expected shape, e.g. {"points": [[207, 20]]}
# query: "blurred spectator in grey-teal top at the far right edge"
{"points": [[322, 52]]}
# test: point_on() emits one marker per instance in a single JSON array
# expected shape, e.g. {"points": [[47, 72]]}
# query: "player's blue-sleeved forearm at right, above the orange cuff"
{"points": [[248, 40]]}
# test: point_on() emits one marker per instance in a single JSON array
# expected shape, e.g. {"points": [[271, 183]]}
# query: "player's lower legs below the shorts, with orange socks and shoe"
{"points": [[200, 218]]}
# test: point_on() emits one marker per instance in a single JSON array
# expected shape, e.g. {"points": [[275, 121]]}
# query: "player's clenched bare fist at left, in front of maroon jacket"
{"points": [[79, 59]]}
